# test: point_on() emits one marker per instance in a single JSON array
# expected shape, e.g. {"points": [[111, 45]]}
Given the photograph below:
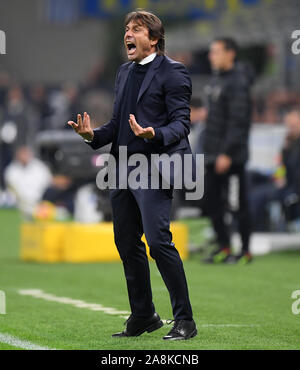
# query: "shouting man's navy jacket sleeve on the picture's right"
{"points": [[178, 90]]}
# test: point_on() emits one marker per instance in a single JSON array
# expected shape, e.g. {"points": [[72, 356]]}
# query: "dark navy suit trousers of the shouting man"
{"points": [[148, 211]]}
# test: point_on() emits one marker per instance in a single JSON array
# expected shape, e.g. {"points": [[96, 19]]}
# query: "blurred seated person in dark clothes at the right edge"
{"points": [[284, 185]]}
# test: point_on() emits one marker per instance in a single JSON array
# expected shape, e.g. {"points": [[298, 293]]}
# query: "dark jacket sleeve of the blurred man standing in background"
{"points": [[238, 118]]}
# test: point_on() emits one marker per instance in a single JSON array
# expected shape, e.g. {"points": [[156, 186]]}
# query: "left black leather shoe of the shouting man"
{"points": [[137, 326]]}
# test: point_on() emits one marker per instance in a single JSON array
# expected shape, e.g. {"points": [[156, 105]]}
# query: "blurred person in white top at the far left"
{"points": [[27, 177]]}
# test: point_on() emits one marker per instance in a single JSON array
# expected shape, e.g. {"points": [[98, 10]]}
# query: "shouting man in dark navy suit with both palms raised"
{"points": [[151, 116]]}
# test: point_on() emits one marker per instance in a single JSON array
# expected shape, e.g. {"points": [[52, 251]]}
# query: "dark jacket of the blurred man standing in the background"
{"points": [[229, 115]]}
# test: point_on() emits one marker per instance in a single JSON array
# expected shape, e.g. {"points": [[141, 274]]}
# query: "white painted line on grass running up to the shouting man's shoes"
{"points": [[37, 293]]}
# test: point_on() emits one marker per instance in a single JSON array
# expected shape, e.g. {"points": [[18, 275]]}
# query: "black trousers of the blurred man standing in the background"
{"points": [[216, 204]]}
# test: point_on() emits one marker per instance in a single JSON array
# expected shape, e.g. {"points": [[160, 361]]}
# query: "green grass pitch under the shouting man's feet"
{"points": [[235, 307]]}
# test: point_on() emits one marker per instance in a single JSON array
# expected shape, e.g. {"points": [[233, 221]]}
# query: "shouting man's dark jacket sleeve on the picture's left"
{"points": [[104, 135]]}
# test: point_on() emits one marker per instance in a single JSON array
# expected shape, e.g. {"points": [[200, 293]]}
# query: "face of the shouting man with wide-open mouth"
{"points": [[137, 42]]}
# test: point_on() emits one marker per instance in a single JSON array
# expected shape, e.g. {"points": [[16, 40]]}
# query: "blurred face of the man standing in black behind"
{"points": [[219, 57]]}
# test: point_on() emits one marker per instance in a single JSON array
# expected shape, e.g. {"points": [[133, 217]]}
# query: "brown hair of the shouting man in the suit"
{"points": [[154, 25]]}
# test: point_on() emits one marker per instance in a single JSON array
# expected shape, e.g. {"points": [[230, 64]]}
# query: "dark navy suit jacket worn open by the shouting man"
{"points": [[163, 103]]}
